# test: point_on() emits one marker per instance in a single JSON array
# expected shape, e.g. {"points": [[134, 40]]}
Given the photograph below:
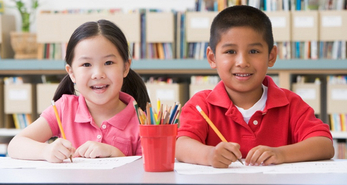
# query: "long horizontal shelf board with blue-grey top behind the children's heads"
{"points": [[179, 66]]}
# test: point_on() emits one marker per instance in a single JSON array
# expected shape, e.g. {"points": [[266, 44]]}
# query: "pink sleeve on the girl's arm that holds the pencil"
{"points": [[49, 115]]}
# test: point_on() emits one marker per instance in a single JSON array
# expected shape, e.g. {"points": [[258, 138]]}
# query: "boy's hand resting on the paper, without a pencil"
{"points": [[264, 155]]}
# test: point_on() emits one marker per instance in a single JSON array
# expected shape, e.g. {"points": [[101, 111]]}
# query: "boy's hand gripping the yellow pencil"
{"points": [[222, 155]]}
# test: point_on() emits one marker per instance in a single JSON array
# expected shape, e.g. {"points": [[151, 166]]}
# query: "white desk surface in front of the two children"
{"points": [[133, 173]]}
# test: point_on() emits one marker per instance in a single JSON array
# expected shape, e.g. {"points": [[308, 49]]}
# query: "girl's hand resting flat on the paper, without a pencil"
{"points": [[93, 149]]}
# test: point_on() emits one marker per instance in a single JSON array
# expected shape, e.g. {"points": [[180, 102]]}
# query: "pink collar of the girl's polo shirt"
{"points": [[120, 120]]}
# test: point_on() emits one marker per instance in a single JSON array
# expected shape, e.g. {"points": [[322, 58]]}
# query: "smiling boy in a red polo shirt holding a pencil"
{"points": [[261, 122]]}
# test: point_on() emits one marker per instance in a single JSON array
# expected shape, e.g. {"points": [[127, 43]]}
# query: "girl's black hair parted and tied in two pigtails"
{"points": [[132, 84]]}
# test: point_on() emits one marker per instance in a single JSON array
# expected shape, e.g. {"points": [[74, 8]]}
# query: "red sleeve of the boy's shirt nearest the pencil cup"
{"points": [[192, 124]]}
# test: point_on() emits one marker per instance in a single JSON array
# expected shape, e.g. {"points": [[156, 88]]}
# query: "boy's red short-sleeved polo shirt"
{"points": [[286, 119]]}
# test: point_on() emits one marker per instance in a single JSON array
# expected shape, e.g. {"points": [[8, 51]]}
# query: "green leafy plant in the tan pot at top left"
{"points": [[26, 12]]}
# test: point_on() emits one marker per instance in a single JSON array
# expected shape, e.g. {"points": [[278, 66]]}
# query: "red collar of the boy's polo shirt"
{"points": [[276, 96]]}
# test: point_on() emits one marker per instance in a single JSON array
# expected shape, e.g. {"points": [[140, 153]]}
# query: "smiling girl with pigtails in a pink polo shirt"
{"points": [[101, 121]]}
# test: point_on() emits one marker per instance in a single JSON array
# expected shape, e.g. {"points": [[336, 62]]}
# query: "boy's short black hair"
{"points": [[238, 16]]}
